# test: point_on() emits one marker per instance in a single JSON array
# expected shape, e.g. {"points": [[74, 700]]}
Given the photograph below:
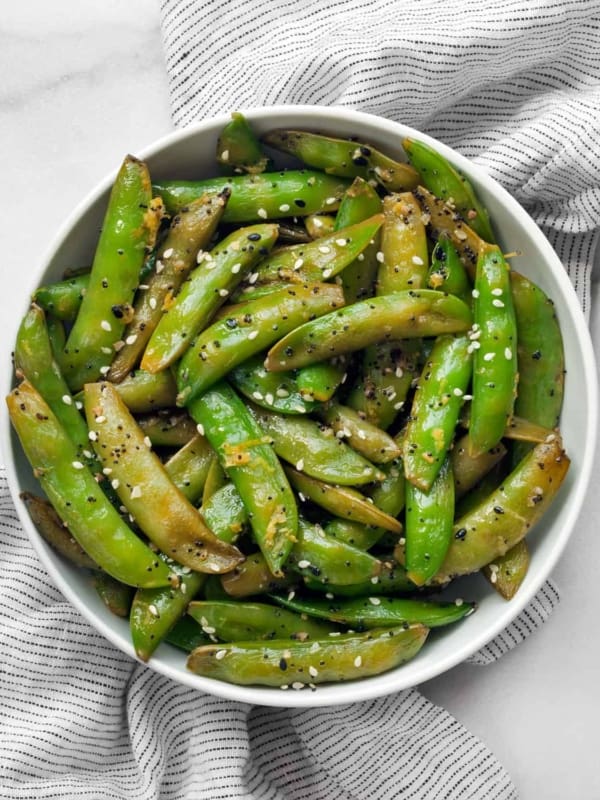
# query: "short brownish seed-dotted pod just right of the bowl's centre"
{"points": [[367, 439]]}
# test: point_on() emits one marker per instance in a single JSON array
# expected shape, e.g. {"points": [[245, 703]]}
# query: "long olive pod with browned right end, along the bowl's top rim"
{"points": [[343, 157]]}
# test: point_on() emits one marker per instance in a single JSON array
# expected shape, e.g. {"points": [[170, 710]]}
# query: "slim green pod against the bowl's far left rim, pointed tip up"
{"points": [[34, 360]]}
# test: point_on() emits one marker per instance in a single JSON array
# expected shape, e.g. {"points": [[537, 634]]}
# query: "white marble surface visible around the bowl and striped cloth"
{"points": [[84, 83]]}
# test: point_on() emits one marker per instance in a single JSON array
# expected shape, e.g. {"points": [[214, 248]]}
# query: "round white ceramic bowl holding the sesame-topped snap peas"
{"points": [[190, 154]]}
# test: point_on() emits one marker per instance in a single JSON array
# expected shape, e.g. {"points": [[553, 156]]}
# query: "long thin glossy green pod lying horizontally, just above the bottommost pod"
{"points": [[378, 612]]}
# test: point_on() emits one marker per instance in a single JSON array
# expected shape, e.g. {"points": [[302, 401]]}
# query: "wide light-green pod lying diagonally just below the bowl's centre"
{"points": [[315, 450]]}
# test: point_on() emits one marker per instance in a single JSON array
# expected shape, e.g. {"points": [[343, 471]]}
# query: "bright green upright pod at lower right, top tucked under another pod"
{"points": [[428, 525]]}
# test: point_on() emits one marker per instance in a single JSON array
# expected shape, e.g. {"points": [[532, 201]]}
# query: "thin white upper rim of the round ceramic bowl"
{"points": [[389, 682]]}
